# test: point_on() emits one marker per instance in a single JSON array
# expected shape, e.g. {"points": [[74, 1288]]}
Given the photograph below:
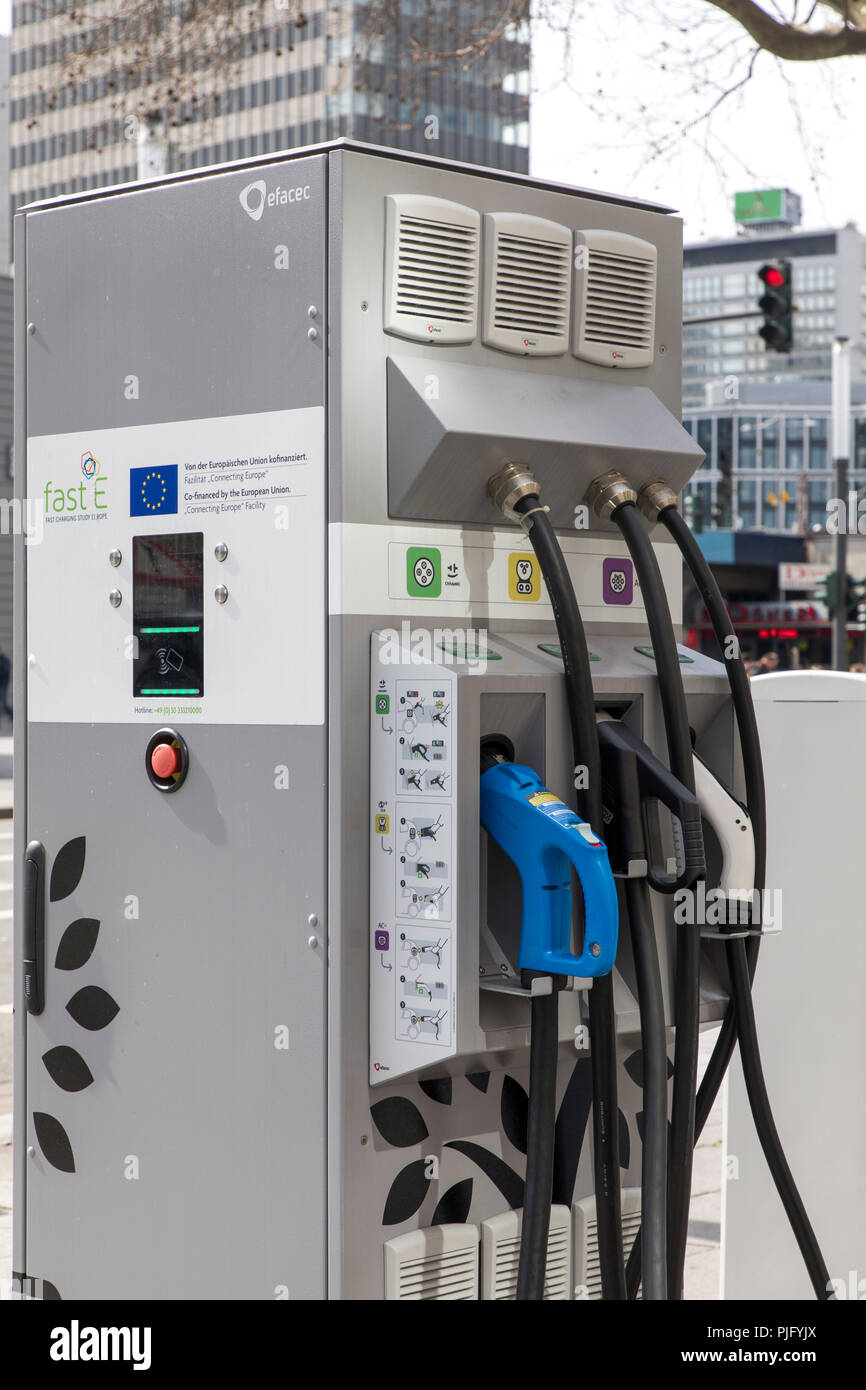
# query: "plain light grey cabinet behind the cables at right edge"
{"points": [[808, 997]]}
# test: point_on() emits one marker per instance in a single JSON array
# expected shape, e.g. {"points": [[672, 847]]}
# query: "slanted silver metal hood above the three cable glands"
{"points": [[452, 426]]}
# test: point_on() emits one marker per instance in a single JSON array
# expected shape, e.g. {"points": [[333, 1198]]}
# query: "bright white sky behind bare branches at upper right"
{"points": [[793, 126]]}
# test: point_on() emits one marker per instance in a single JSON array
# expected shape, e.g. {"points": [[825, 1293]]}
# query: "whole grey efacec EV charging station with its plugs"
{"points": [[276, 982]]}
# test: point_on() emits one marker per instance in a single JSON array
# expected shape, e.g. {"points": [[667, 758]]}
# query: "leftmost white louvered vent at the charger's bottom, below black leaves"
{"points": [[439, 1264]]}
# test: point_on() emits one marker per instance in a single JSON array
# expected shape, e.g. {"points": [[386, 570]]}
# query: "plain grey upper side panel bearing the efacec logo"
{"points": [[181, 288]]}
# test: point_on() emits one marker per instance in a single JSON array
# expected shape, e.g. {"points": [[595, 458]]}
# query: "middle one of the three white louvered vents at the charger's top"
{"points": [[528, 284]]}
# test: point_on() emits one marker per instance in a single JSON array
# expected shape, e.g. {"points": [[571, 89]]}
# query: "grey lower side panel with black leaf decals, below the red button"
{"points": [[199, 1147]]}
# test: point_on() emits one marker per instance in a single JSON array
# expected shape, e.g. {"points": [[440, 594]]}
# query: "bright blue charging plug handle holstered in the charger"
{"points": [[543, 837]]}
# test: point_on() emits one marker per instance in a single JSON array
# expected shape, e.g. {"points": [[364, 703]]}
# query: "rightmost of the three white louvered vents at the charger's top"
{"points": [[615, 300]]}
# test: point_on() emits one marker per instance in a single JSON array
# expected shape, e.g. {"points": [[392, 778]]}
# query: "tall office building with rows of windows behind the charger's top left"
{"points": [[338, 73]]}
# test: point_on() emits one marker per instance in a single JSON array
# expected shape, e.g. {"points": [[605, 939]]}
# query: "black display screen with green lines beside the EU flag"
{"points": [[169, 615]]}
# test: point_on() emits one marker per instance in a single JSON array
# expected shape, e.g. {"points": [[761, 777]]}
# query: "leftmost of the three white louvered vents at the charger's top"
{"points": [[432, 270]]}
